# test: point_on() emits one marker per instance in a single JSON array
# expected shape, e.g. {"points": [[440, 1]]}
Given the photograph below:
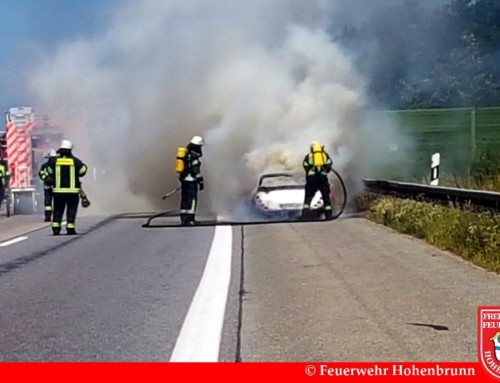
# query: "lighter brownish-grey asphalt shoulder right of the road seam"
{"points": [[352, 290]]}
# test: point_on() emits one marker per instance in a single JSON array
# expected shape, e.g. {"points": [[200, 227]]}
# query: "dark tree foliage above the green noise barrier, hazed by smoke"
{"points": [[431, 58]]}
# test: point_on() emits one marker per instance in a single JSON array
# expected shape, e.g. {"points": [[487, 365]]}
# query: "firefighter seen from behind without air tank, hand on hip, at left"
{"points": [[66, 170]]}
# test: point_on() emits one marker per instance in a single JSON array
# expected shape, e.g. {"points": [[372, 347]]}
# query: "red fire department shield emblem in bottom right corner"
{"points": [[489, 339]]}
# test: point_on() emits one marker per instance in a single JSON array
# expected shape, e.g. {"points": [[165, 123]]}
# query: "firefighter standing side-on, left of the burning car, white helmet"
{"points": [[191, 179]]}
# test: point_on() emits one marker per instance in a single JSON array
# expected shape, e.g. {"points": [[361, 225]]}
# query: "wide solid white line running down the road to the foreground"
{"points": [[199, 339]]}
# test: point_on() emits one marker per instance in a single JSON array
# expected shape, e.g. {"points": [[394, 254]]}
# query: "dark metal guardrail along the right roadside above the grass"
{"points": [[478, 198]]}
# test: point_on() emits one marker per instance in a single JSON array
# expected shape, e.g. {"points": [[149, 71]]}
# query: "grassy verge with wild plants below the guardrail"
{"points": [[473, 235]]}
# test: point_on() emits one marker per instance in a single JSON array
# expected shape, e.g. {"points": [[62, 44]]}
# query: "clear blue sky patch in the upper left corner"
{"points": [[32, 27]]}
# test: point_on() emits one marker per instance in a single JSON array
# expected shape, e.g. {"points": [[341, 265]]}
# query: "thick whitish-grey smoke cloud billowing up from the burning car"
{"points": [[260, 80]]}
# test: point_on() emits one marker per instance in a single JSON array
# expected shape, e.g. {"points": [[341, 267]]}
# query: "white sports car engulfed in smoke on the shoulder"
{"points": [[278, 194]]}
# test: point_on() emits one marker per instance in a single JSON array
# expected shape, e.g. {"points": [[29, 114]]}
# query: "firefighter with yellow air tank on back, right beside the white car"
{"points": [[317, 164]]}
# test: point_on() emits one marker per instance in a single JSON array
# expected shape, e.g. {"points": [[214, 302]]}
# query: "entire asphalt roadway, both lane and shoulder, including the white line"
{"points": [[347, 290]]}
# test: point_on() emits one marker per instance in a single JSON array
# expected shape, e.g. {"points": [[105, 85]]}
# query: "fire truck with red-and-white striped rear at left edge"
{"points": [[27, 138]]}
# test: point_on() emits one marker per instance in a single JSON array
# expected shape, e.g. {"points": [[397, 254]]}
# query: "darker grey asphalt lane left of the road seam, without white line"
{"points": [[117, 292]]}
